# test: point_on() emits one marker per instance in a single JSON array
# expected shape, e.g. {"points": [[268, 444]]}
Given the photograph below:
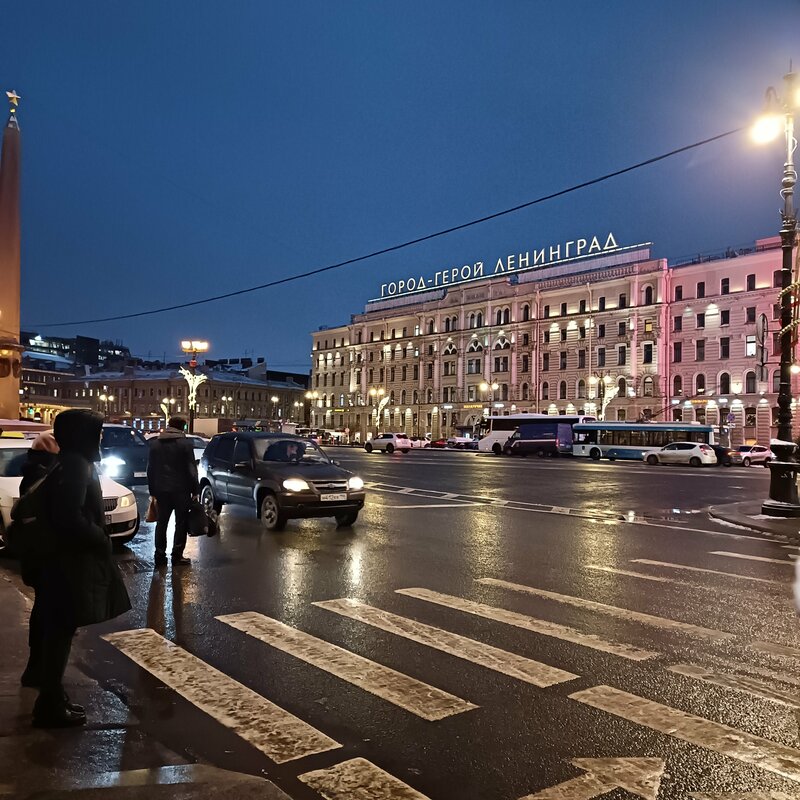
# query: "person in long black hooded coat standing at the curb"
{"points": [[81, 584]]}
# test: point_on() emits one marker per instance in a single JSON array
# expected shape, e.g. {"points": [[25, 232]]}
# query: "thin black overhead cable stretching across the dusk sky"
{"points": [[396, 247]]}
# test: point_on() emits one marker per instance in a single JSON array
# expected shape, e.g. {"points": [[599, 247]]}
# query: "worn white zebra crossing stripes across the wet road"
{"points": [[284, 737]]}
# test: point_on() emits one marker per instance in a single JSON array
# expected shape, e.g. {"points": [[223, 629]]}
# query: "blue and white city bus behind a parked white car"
{"points": [[632, 440]]}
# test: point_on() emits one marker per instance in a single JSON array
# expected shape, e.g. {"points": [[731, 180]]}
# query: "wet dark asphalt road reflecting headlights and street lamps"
{"points": [[490, 531]]}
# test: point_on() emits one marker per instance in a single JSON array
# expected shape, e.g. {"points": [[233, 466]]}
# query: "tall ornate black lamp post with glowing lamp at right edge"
{"points": [[783, 499]]}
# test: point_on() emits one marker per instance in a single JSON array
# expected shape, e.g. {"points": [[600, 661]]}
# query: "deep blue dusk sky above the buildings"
{"points": [[177, 150]]}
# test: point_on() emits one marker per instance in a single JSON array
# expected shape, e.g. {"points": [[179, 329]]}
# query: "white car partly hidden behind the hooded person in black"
{"points": [[122, 515]]}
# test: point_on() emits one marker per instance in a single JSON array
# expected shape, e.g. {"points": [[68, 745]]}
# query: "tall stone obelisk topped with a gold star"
{"points": [[10, 347]]}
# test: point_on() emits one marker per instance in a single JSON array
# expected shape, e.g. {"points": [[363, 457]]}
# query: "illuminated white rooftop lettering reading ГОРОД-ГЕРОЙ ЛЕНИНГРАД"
{"points": [[515, 262]]}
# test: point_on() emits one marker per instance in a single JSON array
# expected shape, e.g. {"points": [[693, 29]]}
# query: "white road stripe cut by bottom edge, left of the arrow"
{"points": [[358, 779]]}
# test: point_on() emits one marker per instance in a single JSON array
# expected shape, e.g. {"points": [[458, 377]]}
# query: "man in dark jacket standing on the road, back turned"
{"points": [[172, 478]]}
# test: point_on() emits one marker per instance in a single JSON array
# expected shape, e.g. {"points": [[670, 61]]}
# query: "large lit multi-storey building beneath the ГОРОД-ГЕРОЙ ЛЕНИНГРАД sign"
{"points": [[619, 335]]}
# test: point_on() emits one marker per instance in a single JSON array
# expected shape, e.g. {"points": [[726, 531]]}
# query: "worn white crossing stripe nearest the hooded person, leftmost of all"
{"points": [[275, 732]]}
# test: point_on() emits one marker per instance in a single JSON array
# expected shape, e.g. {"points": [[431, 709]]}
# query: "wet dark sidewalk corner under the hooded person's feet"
{"points": [[111, 758]]}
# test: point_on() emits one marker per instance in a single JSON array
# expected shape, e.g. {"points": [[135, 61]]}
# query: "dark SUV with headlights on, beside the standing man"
{"points": [[284, 477]]}
